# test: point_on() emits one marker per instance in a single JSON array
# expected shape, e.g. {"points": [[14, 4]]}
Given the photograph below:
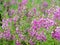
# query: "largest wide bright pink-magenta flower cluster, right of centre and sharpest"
{"points": [[42, 22]]}
